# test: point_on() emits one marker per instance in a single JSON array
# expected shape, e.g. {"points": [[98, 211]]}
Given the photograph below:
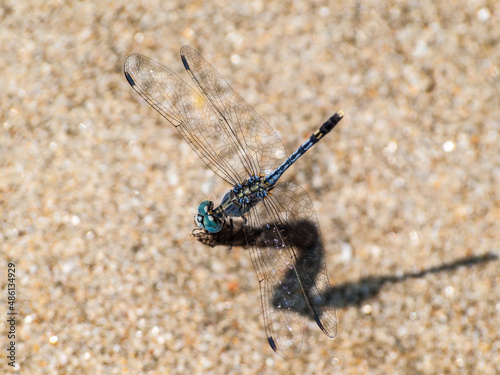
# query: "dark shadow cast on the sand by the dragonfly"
{"points": [[305, 238]]}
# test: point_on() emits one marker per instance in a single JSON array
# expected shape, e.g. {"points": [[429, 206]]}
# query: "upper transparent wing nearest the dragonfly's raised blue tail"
{"points": [[262, 150]]}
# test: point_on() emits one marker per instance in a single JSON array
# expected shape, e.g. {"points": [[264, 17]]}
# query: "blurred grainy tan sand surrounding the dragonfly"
{"points": [[98, 192]]}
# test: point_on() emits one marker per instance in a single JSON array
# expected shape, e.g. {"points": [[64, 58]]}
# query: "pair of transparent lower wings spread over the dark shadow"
{"points": [[288, 257]]}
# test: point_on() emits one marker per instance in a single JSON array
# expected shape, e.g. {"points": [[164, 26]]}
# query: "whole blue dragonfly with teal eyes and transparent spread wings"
{"points": [[278, 220]]}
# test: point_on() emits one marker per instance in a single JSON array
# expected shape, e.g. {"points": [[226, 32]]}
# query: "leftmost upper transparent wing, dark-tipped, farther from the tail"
{"points": [[197, 121]]}
